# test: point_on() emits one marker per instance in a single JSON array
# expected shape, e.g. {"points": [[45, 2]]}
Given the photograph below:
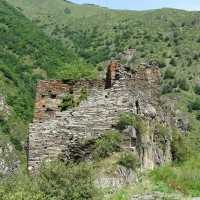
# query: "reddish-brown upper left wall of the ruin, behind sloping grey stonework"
{"points": [[50, 93]]}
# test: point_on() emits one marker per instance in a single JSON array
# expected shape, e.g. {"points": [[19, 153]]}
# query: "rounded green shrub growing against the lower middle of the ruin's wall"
{"points": [[107, 144]]}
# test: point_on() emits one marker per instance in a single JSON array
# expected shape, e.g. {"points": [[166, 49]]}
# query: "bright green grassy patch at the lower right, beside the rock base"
{"points": [[183, 178]]}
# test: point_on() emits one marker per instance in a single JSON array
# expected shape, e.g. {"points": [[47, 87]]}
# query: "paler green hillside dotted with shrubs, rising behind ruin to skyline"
{"points": [[168, 37]]}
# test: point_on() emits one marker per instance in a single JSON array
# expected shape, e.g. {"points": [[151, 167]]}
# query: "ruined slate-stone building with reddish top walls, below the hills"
{"points": [[68, 134]]}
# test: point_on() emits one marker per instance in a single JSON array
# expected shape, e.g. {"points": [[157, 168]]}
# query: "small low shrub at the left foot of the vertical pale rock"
{"points": [[129, 160]]}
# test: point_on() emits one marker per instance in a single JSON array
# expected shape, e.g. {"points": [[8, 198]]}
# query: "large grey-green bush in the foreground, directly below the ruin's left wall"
{"points": [[73, 182]]}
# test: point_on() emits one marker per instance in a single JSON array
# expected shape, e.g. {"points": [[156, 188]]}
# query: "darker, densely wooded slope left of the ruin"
{"points": [[26, 55]]}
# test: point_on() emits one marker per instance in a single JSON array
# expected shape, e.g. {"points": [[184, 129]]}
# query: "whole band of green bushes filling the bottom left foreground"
{"points": [[55, 181]]}
